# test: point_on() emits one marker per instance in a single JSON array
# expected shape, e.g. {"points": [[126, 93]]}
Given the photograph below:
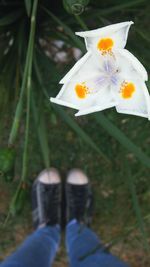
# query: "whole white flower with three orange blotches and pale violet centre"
{"points": [[105, 78]]}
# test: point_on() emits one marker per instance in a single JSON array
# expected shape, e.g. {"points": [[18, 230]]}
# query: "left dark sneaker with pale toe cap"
{"points": [[46, 198]]}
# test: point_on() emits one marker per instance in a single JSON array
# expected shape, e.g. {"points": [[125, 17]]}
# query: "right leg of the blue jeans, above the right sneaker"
{"points": [[85, 249]]}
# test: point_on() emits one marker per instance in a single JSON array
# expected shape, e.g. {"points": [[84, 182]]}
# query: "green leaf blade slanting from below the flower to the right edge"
{"points": [[122, 138]]}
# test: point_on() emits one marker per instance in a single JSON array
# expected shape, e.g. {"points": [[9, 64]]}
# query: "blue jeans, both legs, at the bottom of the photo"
{"points": [[83, 247]]}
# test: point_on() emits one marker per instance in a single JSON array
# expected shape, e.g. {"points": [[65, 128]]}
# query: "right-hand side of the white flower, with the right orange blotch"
{"points": [[130, 90]]}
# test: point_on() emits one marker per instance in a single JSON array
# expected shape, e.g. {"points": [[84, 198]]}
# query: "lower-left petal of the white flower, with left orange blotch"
{"points": [[82, 95]]}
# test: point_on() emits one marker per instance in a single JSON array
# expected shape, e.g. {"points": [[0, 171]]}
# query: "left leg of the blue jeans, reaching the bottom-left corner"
{"points": [[38, 250]]}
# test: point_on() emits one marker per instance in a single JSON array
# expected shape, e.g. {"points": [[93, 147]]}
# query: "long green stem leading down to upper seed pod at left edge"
{"points": [[26, 77]]}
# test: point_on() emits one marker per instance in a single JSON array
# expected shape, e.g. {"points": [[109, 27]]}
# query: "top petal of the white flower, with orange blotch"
{"points": [[107, 38]]}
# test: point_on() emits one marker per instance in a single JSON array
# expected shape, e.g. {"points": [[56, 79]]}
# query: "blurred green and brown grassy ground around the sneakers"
{"points": [[114, 217]]}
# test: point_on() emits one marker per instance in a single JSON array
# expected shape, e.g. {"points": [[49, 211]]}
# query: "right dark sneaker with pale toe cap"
{"points": [[78, 197]]}
